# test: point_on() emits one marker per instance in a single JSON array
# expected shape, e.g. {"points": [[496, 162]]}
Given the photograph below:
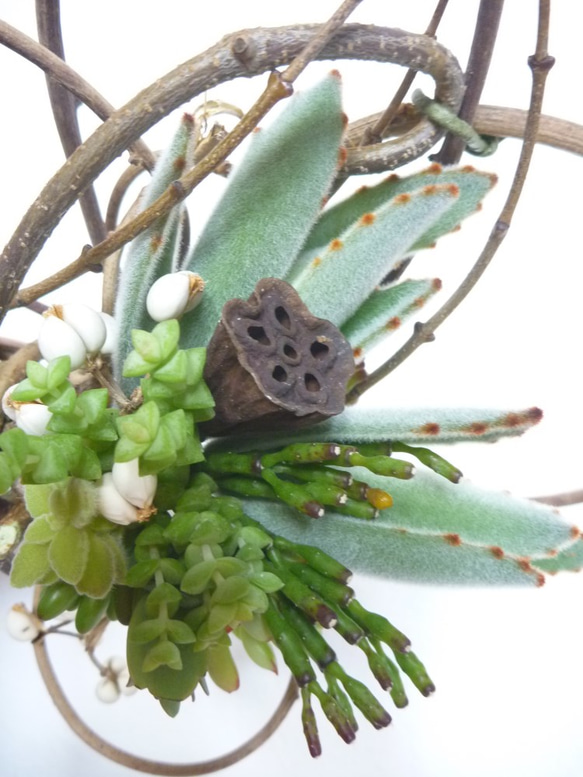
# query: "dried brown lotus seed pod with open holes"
{"points": [[271, 360]]}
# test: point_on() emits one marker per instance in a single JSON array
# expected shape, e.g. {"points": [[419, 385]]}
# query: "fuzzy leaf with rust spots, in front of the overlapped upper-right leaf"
{"points": [[345, 273]]}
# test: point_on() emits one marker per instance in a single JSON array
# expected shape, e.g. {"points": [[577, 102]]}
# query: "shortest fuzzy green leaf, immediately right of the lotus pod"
{"points": [[384, 312]]}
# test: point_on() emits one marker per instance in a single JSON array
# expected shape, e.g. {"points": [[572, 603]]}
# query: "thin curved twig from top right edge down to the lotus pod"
{"points": [[540, 64]]}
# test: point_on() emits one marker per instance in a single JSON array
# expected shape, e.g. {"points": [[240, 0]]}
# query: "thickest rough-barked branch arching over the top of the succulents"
{"points": [[243, 54]]}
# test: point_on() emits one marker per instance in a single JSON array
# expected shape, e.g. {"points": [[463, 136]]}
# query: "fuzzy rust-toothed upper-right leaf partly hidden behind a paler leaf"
{"points": [[472, 184]]}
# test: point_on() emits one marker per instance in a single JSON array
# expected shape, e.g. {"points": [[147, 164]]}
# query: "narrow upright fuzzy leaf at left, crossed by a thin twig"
{"points": [[152, 253]]}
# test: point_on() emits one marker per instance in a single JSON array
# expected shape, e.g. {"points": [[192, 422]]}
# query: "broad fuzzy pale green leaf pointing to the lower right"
{"points": [[436, 532]]}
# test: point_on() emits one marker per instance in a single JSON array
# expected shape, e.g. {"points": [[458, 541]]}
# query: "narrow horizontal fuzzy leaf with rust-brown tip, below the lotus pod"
{"points": [[415, 426]]}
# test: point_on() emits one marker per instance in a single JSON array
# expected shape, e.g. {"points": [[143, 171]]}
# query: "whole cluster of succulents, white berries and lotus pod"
{"points": [[197, 467]]}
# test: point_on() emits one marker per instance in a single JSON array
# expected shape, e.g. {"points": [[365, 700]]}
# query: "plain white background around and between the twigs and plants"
{"points": [[506, 662]]}
